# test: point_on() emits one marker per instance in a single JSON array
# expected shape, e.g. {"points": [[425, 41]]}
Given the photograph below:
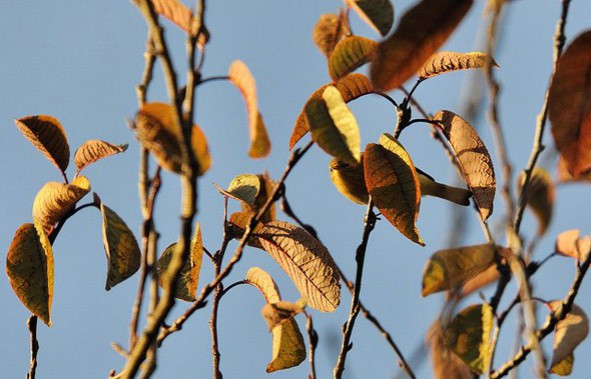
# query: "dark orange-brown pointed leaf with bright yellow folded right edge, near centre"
{"points": [[393, 184]]}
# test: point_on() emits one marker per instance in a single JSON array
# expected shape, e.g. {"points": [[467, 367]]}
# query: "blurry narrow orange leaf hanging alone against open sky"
{"points": [[241, 77]]}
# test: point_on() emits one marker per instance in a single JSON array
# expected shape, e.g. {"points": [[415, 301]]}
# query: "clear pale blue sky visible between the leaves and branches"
{"points": [[81, 61]]}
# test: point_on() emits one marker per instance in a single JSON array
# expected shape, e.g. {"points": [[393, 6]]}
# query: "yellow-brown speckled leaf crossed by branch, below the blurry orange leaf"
{"points": [[186, 285]]}
